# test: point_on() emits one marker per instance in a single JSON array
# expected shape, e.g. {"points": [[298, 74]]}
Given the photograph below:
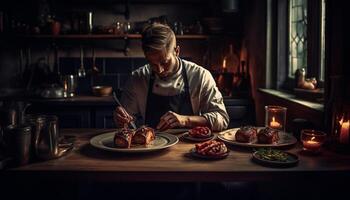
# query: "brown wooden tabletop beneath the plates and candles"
{"points": [[173, 164]]}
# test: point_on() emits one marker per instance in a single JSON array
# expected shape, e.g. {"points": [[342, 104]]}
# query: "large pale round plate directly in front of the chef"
{"points": [[105, 142]]}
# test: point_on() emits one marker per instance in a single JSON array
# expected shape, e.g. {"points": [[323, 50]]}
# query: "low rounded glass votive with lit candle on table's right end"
{"points": [[312, 140]]}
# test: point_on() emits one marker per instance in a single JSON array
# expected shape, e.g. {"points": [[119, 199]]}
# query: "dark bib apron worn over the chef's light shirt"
{"points": [[158, 105]]}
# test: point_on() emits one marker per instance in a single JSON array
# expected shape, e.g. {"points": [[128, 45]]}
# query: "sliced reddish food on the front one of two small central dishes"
{"points": [[211, 148]]}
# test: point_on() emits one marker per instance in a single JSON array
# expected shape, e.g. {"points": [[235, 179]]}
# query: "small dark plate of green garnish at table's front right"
{"points": [[275, 158]]}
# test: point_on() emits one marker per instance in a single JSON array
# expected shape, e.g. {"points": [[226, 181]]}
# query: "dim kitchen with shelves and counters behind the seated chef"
{"points": [[42, 41]]}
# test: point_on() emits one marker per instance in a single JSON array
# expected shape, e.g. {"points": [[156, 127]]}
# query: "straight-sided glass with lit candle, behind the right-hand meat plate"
{"points": [[275, 117]]}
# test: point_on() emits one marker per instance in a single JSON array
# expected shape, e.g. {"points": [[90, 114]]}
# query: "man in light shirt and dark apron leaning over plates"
{"points": [[170, 92]]}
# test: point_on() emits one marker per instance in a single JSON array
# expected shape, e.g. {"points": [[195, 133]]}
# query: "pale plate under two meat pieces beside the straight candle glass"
{"points": [[285, 139]]}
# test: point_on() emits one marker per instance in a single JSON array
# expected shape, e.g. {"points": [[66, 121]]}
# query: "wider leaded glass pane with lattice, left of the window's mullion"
{"points": [[297, 36]]}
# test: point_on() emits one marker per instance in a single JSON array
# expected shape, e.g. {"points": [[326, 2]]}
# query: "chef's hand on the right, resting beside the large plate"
{"points": [[171, 120]]}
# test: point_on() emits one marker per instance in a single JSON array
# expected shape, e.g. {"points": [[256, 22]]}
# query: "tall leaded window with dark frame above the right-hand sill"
{"points": [[299, 40]]}
